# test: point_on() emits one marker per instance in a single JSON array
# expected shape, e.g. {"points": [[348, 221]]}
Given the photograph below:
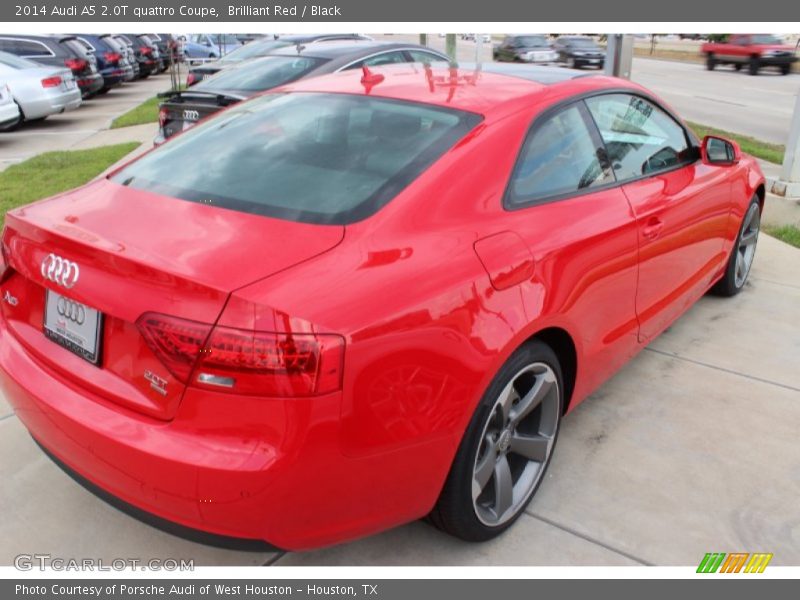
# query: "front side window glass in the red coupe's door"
{"points": [[640, 137]]}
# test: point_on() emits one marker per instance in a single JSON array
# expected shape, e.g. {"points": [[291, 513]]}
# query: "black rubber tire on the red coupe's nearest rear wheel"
{"points": [[456, 512]]}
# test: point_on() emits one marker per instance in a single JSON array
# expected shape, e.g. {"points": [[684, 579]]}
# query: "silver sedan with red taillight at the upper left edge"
{"points": [[39, 91]]}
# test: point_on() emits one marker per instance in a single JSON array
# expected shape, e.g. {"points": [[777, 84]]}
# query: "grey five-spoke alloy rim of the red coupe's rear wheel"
{"points": [[516, 444]]}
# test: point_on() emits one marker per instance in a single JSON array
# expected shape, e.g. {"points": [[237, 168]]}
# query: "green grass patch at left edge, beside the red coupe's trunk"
{"points": [[54, 172]]}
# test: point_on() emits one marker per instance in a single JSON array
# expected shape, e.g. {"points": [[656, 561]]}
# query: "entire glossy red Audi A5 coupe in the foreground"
{"points": [[364, 298]]}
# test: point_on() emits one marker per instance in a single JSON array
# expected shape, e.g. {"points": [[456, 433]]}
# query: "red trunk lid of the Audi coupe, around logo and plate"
{"points": [[139, 252]]}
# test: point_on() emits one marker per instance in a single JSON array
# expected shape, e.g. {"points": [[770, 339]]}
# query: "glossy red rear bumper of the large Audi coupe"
{"points": [[242, 467]]}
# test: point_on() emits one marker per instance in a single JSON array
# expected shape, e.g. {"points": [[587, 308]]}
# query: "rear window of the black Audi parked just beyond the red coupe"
{"points": [[262, 74]]}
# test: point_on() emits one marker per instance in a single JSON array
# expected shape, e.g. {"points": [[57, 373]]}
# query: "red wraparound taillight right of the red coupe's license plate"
{"points": [[245, 362]]}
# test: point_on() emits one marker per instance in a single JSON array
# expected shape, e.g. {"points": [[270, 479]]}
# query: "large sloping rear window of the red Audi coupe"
{"points": [[314, 158]]}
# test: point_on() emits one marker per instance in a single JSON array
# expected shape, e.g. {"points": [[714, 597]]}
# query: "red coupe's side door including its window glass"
{"points": [[681, 205]]}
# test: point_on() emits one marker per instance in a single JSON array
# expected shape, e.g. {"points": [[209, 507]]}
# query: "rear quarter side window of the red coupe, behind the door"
{"points": [[559, 157]]}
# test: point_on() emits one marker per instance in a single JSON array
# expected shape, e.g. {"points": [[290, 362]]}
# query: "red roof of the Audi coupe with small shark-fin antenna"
{"points": [[492, 90]]}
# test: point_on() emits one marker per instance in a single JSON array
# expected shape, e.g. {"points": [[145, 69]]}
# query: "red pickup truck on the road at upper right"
{"points": [[751, 50]]}
